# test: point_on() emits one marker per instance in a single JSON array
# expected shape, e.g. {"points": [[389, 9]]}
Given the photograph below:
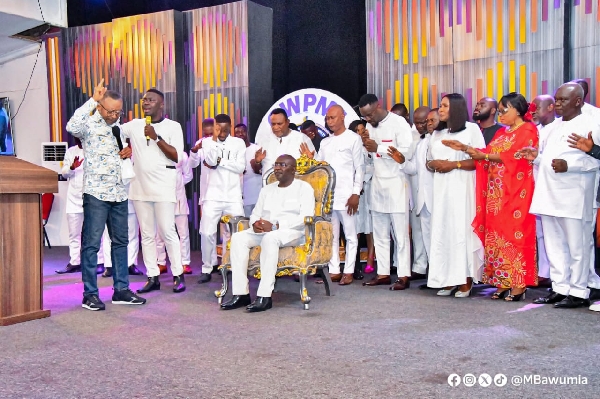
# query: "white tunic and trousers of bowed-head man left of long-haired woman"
{"points": [[390, 193]]}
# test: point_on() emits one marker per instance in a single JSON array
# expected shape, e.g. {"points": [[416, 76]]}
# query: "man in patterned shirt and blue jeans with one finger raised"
{"points": [[96, 124]]}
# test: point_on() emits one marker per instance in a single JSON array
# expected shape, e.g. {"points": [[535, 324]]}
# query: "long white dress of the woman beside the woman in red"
{"points": [[456, 251]]}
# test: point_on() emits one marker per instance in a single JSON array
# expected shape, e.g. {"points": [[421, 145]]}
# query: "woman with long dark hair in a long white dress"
{"points": [[456, 259]]}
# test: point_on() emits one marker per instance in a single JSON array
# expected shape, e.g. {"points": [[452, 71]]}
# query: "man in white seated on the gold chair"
{"points": [[277, 221]]}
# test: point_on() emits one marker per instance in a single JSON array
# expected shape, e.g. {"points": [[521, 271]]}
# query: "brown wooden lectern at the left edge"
{"points": [[21, 293]]}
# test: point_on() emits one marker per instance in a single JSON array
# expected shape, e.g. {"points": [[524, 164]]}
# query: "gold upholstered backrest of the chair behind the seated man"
{"points": [[321, 177]]}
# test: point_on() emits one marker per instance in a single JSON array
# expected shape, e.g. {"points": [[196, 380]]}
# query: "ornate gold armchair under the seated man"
{"points": [[306, 259]]}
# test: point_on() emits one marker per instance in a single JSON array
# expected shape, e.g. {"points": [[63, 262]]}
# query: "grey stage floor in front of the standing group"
{"points": [[365, 342]]}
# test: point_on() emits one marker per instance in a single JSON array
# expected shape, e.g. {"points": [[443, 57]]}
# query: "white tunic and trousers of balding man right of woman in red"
{"points": [[565, 202]]}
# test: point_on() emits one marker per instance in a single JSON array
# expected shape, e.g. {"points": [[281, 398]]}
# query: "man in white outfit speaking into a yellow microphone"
{"points": [[157, 148]]}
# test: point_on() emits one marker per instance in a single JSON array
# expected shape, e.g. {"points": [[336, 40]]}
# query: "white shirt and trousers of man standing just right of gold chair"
{"points": [[344, 152]]}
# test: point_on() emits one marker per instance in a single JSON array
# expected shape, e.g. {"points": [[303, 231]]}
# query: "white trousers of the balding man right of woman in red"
{"points": [[568, 252]]}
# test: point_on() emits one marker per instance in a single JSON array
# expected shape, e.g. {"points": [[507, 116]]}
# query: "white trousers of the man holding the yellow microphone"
{"points": [[162, 215]]}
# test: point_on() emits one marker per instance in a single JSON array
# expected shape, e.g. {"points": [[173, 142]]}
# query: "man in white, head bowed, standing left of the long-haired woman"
{"points": [[390, 143]]}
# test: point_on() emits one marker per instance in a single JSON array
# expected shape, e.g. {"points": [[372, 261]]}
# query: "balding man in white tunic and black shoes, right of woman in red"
{"points": [[563, 197]]}
